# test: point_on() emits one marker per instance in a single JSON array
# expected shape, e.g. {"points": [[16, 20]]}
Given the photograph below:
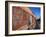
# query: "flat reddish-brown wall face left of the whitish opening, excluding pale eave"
{"points": [[19, 18]]}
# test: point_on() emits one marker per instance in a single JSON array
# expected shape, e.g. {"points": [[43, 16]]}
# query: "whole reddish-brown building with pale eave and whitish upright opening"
{"points": [[22, 18]]}
